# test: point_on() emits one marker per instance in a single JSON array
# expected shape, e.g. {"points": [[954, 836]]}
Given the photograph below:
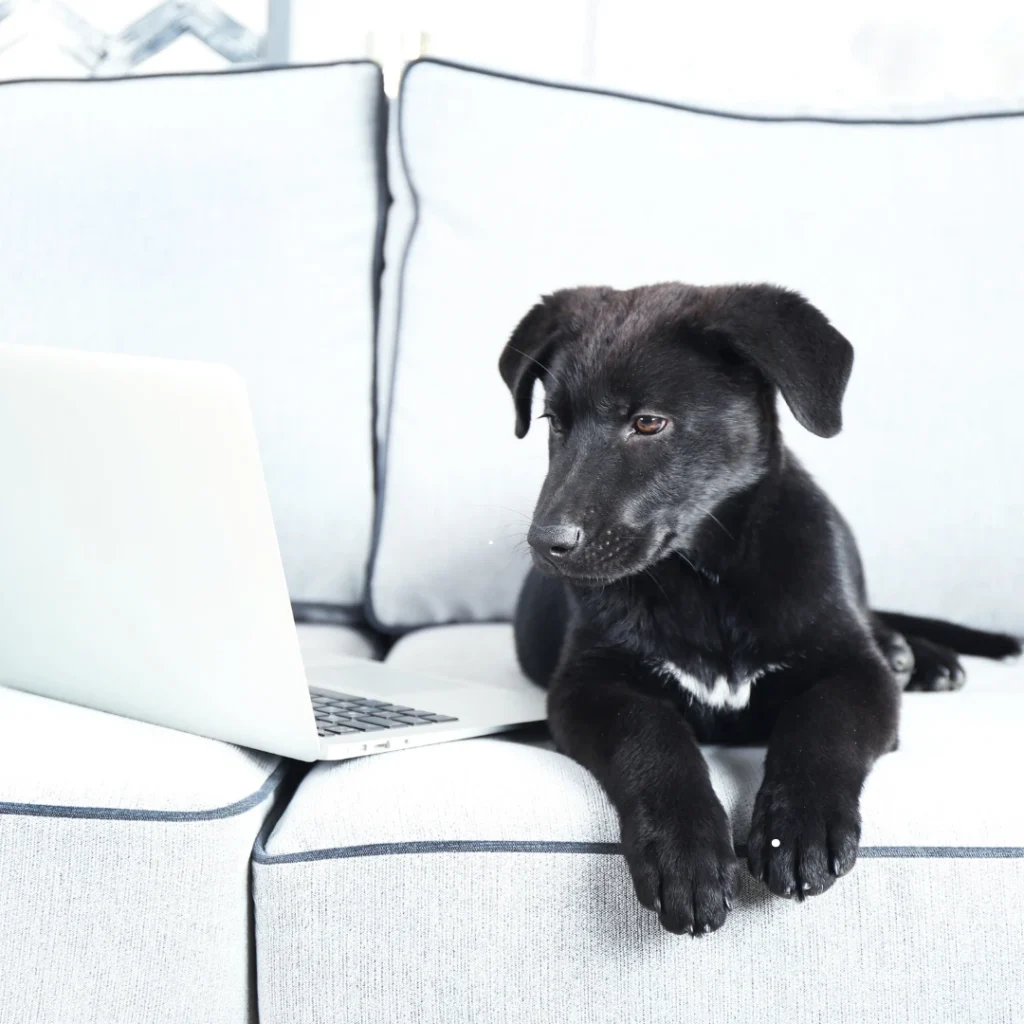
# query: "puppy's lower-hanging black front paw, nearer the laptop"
{"points": [[684, 867]]}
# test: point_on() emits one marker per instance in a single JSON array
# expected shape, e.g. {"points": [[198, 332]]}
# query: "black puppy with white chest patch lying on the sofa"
{"points": [[700, 587]]}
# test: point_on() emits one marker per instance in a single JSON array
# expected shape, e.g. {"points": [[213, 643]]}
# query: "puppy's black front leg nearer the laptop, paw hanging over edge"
{"points": [[675, 832]]}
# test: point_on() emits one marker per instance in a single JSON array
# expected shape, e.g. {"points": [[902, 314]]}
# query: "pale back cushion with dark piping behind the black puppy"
{"points": [[908, 236]]}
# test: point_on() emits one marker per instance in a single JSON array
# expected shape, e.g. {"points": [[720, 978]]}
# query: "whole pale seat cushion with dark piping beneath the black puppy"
{"points": [[516, 905]]}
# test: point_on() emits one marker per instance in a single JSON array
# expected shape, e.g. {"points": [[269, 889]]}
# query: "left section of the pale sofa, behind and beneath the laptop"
{"points": [[233, 218]]}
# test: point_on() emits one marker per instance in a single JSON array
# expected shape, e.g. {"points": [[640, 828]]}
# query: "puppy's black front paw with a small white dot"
{"points": [[802, 840]]}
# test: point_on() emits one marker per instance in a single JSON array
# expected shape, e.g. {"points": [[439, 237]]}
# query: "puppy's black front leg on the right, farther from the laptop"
{"points": [[805, 831]]}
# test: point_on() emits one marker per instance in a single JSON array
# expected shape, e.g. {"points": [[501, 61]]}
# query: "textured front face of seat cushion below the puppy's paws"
{"points": [[535, 937]]}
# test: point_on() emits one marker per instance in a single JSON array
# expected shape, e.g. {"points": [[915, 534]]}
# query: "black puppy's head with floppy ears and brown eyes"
{"points": [[661, 408]]}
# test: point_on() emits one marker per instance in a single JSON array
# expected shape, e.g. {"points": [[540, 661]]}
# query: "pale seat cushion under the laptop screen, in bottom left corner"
{"points": [[125, 850]]}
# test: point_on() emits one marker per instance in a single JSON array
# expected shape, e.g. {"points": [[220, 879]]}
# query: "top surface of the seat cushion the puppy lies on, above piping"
{"points": [[943, 788]]}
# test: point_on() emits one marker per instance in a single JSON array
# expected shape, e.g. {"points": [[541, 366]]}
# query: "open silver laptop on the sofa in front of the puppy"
{"points": [[141, 575]]}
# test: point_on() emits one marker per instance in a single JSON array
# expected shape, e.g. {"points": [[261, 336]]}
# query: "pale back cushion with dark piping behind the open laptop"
{"points": [[228, 218]]}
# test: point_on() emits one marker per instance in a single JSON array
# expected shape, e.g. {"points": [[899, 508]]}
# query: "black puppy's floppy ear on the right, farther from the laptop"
{"points": [[794, 347]]}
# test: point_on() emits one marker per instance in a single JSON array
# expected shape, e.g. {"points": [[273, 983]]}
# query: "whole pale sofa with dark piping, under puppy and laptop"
{"points": [[362, 263]]}
